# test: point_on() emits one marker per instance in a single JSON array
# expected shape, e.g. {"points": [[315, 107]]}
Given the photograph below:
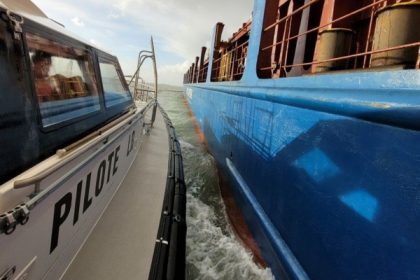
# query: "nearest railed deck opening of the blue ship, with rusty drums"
{"points": [[350, 33]]}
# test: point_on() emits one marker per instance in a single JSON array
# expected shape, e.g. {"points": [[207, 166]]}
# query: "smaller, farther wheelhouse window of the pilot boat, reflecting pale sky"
{"points": [[115, 90]]}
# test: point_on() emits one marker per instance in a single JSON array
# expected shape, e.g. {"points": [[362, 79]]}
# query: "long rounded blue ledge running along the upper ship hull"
{"points": [[384, 109]]}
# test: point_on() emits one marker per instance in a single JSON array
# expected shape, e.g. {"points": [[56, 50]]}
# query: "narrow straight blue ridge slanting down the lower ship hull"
{"points": [[276, 240]]}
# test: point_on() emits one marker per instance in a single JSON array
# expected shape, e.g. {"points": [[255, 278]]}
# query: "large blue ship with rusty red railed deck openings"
{"points": [[312, 112]]}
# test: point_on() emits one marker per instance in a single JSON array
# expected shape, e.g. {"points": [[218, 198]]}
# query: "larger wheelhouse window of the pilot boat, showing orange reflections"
{"points": [[64, 80]]}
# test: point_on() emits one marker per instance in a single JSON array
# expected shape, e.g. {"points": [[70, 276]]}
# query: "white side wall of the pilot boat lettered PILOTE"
{"points": [[58, 226]]}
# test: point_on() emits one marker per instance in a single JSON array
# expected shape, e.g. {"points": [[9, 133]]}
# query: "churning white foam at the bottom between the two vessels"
{"points": [[214, 254]]}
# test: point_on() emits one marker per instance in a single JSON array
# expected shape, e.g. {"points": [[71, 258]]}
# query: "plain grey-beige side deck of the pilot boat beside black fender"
{"points": [[122, 243]]}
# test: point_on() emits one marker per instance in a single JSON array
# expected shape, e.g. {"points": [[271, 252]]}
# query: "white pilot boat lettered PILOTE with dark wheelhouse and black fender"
{"points": [[70, 131]]}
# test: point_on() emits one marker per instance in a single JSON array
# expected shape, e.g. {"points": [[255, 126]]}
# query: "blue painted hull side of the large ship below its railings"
{"points": [[325, 169]]}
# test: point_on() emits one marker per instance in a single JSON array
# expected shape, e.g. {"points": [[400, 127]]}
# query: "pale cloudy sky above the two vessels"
{"points": [[124, 27]]}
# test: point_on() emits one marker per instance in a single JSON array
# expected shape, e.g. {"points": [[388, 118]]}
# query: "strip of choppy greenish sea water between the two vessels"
{"points": [[213, 251]]}
